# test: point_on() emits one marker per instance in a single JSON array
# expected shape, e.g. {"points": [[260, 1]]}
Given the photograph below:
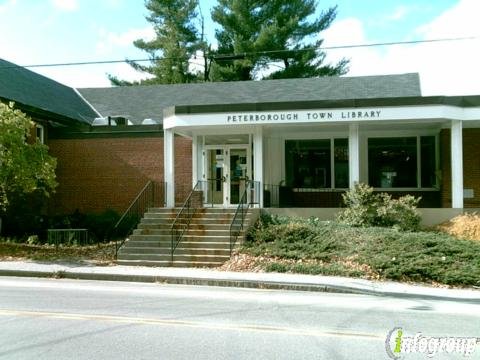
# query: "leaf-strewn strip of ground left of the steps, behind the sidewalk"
{"points": [[99, 254]]}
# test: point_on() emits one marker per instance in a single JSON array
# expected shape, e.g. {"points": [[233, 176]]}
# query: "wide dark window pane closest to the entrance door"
{"points": [[307, 163]]}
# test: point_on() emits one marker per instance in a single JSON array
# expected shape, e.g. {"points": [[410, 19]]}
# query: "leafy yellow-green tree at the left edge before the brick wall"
{"points": [[25, 168]]}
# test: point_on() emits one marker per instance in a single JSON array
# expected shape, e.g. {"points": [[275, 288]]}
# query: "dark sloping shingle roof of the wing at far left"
{"points": [[28, 88]]}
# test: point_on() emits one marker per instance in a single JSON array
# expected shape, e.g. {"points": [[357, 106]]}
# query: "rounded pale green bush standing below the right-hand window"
{"points": [[365, 208]]}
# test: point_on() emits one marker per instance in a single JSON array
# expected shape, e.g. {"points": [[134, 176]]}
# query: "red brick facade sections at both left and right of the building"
{"points": [[107, 173]]}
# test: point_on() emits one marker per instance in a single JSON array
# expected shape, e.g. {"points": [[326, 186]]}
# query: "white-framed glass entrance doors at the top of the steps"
{"points": [[226, 171]]}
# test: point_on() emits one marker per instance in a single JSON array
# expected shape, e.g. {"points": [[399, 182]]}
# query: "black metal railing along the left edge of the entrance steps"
{"points": [[152, 195]]}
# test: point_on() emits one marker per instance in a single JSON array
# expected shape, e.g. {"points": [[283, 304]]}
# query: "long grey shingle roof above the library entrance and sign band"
{"points": [[143, 102]]}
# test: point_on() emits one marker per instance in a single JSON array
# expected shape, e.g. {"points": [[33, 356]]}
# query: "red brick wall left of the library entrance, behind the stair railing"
{"points": [[107, 173]]}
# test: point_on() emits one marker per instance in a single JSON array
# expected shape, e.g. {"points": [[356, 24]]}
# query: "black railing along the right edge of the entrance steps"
{"points": [[251, 195]]}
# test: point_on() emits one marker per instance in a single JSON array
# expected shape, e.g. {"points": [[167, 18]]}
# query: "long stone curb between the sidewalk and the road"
{"points": [[251, 284]]}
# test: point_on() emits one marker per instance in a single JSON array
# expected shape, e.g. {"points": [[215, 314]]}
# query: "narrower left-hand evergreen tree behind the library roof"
{"points": [[175, 43]]}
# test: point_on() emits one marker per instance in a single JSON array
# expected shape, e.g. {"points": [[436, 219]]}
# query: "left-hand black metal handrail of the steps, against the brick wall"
{"points": [[145, 199]]}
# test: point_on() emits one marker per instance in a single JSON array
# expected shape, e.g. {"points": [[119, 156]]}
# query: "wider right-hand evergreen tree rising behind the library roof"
{"points": [[259, 32]]}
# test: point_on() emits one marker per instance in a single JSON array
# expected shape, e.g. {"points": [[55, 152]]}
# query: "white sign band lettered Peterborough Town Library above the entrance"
{"points": [[302, 116]]}
